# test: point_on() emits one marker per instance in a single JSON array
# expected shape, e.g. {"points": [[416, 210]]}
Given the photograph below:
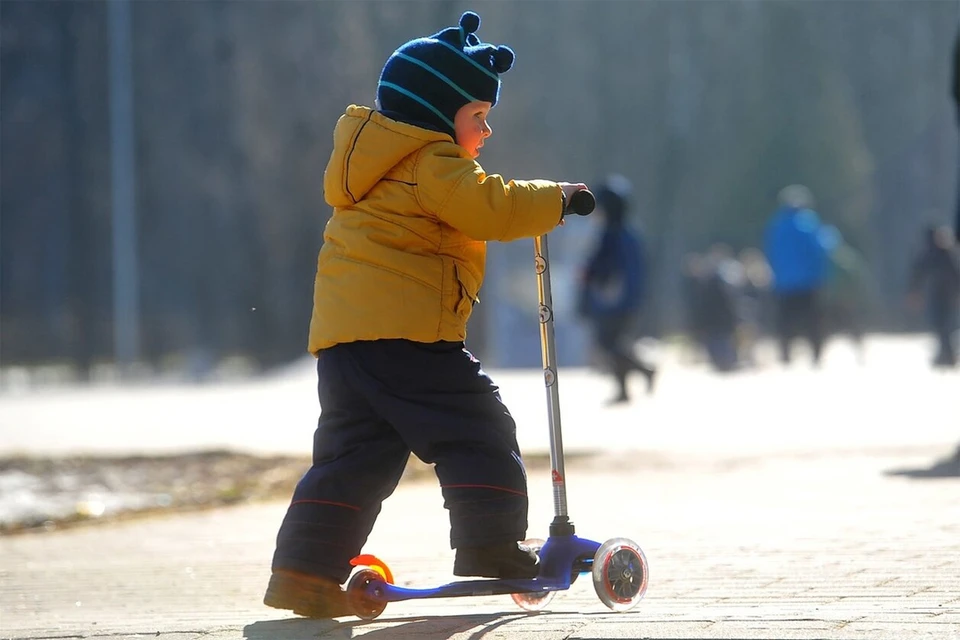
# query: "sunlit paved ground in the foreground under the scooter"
{"points": [[826, 547]]}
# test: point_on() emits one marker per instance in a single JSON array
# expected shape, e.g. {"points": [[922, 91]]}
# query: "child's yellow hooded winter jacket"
{"points": [[404, 252]]}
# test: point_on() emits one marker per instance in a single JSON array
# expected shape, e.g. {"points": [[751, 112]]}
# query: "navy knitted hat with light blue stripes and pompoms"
{"points": [[427, 80]]}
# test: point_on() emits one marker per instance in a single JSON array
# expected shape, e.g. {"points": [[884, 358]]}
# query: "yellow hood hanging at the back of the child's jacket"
{"points": [[367, 145]]}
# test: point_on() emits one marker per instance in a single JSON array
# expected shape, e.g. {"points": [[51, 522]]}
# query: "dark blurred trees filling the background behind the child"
{"points": [[708, 107]]}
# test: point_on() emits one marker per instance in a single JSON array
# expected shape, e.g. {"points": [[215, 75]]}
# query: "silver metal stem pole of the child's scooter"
{"points": [[548, 350]]}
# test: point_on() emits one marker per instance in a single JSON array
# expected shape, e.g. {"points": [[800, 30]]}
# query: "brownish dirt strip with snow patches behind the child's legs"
{"points": [[50, 494]]}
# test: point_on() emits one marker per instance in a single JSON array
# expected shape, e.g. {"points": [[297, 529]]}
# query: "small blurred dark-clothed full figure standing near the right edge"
{"points": [[935, 280]]}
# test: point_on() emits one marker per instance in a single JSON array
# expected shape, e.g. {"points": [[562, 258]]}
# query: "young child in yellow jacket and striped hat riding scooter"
{"points": [[397, 277]]}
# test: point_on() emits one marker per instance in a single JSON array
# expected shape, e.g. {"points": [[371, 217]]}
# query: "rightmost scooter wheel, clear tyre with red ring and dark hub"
{"points": [[620, 573]]}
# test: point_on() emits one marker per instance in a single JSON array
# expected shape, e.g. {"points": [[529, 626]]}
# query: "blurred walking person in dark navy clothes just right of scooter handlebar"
{"points": [[613, 286]]}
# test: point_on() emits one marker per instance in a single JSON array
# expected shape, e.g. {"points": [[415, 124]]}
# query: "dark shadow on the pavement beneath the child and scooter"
{"points": [[421, 627]]}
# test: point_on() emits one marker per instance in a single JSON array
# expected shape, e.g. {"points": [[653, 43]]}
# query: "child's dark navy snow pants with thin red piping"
{"points": [[379, 401]]}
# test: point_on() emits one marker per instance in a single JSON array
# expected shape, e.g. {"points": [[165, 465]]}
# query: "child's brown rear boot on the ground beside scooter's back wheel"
{"points": [[306, 595]]}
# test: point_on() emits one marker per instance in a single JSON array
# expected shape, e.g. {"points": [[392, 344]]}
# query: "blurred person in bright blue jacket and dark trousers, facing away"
{"points": [[797, 246]]}
